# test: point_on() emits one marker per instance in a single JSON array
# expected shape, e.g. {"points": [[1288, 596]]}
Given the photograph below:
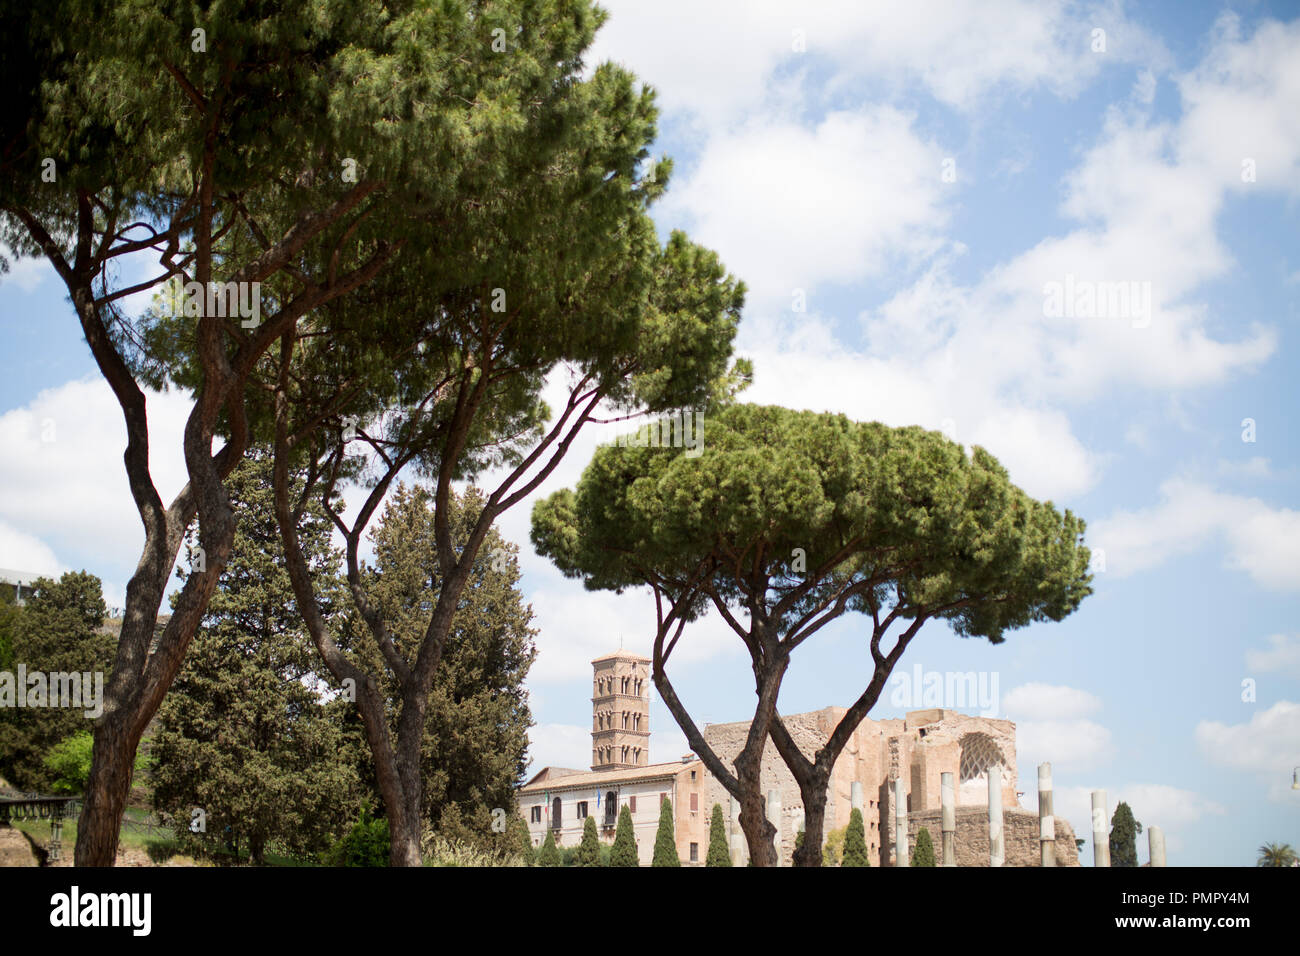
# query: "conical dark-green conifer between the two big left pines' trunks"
{"points": [[244, 736]]}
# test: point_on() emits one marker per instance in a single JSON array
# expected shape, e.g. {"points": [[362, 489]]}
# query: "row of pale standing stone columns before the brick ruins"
{"points": [[948, 823]]}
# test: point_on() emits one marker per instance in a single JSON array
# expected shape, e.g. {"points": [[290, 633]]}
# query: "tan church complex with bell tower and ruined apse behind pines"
{"points": [[918, 749]]}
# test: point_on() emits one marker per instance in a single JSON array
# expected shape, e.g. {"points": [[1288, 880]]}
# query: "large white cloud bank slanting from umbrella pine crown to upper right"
{"points": [[985, 358]]}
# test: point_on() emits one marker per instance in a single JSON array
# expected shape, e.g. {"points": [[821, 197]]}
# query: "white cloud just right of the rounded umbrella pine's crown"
{"points": [[1255, 538]]}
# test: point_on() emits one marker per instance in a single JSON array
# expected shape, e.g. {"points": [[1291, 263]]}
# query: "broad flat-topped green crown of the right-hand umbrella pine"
{"points": [[902, 525]]}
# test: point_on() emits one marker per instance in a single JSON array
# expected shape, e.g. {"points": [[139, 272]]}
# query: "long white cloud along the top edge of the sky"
{"points": [[720, 60]]}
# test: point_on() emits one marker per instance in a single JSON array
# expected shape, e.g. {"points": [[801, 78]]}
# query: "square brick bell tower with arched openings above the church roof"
{"points": [[621, 712]]}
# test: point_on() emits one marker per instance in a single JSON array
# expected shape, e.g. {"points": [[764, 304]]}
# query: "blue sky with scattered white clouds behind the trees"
{"points": [[822, 171]]}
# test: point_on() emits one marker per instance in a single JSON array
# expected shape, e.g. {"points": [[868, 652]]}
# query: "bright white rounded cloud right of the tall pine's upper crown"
{"points": [[794, 207]]}
